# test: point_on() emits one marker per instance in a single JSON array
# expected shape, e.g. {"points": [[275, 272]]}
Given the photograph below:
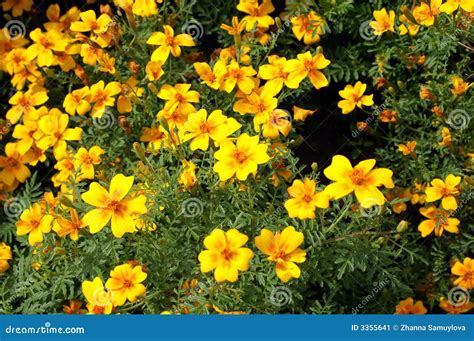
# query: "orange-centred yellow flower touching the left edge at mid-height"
{"points": [[12, 165]]}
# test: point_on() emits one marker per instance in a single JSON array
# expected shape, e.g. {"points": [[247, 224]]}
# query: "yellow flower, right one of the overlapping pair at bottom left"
{"points": [[125, 283]]}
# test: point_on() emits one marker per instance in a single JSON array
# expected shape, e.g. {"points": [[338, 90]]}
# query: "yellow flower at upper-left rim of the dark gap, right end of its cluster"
{"points": [[307, 65]]}
